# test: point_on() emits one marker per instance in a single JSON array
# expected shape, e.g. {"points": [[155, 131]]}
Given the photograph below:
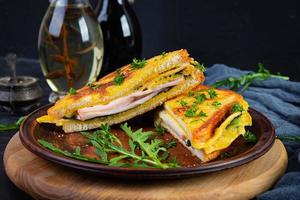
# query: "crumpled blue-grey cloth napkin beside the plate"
{"points": [[279, 100]]}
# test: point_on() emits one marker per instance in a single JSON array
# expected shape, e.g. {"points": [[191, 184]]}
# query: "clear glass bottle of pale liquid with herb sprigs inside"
{"points": [[70, 46]]}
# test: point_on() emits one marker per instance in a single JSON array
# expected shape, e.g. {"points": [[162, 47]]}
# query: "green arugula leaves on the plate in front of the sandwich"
{"points": [[153, 151]]}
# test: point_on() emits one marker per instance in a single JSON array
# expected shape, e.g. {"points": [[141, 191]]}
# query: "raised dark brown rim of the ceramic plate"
{"points": [[138, 173]]}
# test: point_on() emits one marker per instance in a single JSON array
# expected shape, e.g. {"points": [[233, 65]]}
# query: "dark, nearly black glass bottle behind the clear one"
{"points": [[121, 32]]}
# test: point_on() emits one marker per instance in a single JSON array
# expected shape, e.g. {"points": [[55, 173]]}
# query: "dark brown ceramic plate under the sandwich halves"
{"points": [[240, 151]]}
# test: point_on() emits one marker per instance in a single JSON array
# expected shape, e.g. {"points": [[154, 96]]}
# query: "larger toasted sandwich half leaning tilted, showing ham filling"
{"points": [[130, 91]]}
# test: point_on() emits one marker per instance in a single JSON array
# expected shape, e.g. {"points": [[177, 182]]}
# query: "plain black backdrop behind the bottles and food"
{"points": [[234, 32]]}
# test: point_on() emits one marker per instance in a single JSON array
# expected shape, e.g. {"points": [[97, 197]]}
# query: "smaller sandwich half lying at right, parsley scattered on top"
{"points": [[205, 120]]}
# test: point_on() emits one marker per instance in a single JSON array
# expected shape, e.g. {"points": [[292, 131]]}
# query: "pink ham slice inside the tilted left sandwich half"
{"points": [[123, 103]]}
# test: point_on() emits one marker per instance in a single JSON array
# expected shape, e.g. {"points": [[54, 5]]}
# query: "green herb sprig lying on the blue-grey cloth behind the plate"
{"points": [[246, 80]]}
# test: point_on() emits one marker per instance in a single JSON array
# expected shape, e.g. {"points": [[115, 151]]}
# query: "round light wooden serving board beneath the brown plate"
{"points": [[45, 180]]}
